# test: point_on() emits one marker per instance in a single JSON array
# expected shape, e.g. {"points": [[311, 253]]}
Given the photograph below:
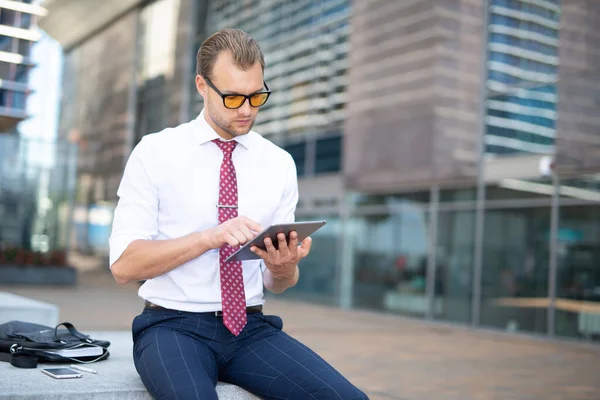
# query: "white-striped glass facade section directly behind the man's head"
{"points": [[306, 54]]}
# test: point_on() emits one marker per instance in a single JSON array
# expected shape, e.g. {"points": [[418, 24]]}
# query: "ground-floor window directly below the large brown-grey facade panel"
{"points": [[390, 256]]}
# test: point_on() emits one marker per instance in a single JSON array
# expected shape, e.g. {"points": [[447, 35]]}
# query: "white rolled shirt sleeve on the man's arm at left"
{"points": [[136, 214]]}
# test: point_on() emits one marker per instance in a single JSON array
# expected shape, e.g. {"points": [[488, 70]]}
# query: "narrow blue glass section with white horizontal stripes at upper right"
{"points": [[522, 73]]}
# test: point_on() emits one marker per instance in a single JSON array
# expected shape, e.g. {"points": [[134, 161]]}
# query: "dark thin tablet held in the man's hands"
{"points": [[304, 229]]}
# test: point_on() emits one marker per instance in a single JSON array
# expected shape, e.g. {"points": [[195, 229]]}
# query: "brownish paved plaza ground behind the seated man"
{"points": [[389, 357]]}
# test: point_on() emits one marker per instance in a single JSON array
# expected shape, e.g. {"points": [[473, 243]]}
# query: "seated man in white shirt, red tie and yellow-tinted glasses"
{"points": [[188, 197]]}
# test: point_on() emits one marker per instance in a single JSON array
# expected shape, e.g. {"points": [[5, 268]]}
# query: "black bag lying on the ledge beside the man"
{"points": [[24, 344]]}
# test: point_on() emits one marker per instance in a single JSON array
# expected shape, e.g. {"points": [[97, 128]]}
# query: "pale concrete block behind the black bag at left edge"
{"points": [[13, 307]]}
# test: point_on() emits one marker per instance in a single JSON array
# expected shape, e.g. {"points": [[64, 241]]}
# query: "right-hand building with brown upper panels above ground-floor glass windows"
{"points": [[522, 253]]}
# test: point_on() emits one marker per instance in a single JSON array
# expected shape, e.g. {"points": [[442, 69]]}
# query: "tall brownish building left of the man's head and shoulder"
{"points": [[125, 74]]}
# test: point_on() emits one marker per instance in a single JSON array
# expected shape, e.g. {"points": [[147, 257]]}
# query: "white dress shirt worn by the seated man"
{"points": [[170, 188]]}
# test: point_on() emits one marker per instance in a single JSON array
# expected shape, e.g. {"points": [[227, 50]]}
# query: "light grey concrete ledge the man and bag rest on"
{"points": [[116, 378]]}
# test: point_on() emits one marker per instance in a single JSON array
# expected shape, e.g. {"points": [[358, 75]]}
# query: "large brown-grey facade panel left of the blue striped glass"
{"points": [[415, 73]]}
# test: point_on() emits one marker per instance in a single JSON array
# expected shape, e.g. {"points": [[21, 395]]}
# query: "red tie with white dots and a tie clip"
{"points": [[232, 279]]}
